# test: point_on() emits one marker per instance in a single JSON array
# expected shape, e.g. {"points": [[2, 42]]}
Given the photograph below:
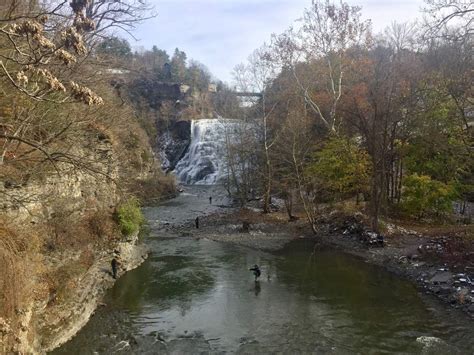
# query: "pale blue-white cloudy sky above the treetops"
{"points": [[222, 33]]}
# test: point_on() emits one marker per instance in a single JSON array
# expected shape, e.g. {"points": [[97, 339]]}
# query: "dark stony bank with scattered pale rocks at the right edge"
{"points": [[433, 263]]}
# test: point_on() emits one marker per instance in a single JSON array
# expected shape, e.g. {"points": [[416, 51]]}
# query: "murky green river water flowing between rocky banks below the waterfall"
{"points": [[198, 296]]}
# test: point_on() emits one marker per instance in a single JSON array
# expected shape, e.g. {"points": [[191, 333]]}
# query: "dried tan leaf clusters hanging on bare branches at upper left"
{"points": [[33, 46]]}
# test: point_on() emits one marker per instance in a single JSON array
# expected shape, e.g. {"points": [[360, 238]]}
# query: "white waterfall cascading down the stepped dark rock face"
{"points": [[204, 162]]}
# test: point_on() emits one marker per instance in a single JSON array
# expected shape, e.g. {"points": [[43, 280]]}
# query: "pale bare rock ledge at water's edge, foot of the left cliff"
{"points": [[49, 323]]}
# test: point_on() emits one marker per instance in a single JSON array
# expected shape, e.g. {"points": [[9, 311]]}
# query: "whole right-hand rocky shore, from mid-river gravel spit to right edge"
{"points": [[427, 261]]}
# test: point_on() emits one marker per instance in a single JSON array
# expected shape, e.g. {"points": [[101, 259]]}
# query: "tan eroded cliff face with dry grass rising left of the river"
{"points": [[57, 238]]}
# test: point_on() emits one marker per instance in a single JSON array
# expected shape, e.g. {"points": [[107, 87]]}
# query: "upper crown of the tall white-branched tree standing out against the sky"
{"points": [[327, 32]]}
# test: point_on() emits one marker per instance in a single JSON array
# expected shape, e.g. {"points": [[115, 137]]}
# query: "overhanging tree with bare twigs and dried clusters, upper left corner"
{"points": [[46, 71]]}
